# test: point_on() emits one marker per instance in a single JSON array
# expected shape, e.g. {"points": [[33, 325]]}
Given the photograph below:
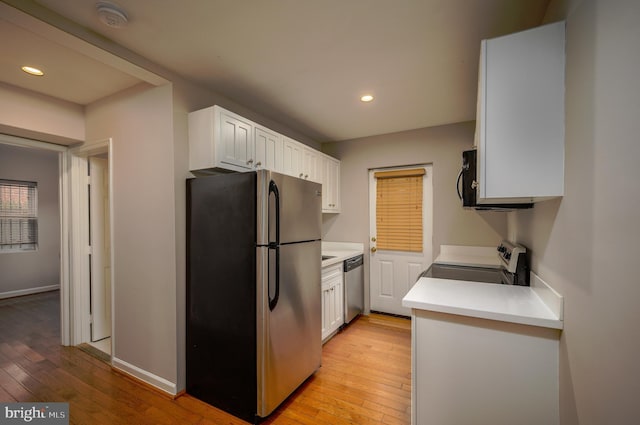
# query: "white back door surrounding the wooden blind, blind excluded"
{"points": [[393, 273]]}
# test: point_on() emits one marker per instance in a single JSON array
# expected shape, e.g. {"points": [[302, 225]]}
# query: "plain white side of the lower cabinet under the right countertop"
{"points": [[468, 370]]}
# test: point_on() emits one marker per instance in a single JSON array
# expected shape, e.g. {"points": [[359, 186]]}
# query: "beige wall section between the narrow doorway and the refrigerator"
{"points": [[140, 122]]}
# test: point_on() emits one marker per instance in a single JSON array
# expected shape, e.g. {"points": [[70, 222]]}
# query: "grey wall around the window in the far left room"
{"points": [[25, 272]]}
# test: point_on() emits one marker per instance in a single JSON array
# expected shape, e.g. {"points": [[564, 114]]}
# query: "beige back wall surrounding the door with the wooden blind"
{"points": [[441, 146]]}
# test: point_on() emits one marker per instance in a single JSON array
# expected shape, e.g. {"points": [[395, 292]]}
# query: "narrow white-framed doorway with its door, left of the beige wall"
{"points": [[92, 273]]}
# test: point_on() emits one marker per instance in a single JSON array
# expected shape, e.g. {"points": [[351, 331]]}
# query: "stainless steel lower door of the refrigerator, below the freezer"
{"points": [[289, 336]]}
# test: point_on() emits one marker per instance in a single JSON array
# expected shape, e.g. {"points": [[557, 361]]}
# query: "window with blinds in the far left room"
{"points": [[18, 216]]}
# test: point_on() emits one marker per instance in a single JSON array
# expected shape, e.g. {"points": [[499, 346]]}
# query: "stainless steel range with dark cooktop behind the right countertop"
{"points": [[512, 269]]}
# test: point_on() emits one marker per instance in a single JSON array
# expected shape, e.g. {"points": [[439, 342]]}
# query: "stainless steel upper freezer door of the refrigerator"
{"points": [[300, 209]]}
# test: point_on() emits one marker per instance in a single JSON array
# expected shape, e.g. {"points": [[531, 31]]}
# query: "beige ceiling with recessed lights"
{"points": [[302, 63]]}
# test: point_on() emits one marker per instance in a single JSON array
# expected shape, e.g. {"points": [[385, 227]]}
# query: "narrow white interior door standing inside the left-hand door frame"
{"points": [[100, 275]]}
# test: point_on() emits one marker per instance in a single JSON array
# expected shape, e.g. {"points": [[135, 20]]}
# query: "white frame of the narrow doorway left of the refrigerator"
{"points": [[80, 325]]}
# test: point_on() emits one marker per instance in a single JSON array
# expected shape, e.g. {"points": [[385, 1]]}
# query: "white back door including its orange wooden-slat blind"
{"points": [[401, 233]]}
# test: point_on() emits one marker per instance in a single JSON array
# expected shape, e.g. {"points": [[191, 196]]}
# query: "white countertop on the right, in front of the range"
{"points": [[536, 305]]}
